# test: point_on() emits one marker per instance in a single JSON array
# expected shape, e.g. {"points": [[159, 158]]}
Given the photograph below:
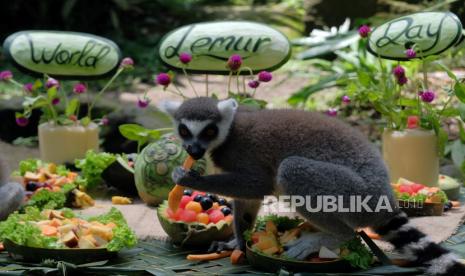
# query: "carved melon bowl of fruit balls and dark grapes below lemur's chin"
{"points": [[199, 219]]}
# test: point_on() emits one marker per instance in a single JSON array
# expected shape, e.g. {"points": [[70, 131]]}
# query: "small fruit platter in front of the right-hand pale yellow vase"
{"points": [[419, 200]]}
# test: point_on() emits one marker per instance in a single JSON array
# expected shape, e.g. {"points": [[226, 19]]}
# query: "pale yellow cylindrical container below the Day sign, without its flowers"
{"points": [[412, 154]]}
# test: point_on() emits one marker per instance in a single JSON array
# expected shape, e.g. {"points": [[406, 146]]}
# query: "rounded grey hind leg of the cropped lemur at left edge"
{"points": [[11, 197]]}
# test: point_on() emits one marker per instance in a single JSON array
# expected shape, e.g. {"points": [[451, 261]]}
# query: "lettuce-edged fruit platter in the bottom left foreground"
{"points": [[62, 235]]}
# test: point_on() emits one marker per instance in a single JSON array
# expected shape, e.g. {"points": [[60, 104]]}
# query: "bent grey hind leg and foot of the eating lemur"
{"points": [[311, 179]]}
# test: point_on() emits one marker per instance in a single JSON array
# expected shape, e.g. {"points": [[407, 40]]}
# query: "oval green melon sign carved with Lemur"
{"points": [[212, 43]]}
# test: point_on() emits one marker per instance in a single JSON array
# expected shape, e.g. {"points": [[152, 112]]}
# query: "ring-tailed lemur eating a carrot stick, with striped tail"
{"points": [[296, 153]]}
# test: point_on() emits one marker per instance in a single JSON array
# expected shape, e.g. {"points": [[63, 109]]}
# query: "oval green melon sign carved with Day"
{"points": [[431, 32]]}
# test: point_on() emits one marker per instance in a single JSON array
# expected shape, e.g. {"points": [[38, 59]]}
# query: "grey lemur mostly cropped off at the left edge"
{"points": [[11, 194]]}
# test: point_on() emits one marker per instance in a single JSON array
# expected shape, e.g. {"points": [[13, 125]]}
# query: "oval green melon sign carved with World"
{"points": [[62, 54]]}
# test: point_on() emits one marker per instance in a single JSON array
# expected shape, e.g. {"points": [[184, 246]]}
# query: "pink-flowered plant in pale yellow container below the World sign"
{"points": [[64, 134]]}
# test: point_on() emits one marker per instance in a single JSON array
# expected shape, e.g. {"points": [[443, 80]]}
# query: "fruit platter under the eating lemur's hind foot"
{"points": [[272, 233]]}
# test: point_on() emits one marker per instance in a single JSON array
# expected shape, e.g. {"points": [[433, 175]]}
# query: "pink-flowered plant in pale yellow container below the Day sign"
{"points": [[413, 138]]}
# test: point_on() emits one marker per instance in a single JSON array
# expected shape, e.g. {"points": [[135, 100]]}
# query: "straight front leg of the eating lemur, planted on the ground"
{"points": [[245, 213]]}
